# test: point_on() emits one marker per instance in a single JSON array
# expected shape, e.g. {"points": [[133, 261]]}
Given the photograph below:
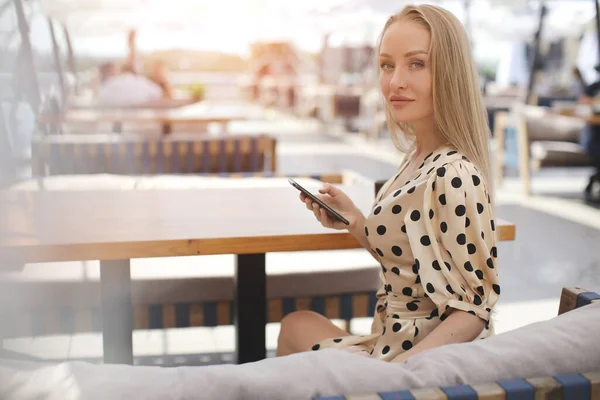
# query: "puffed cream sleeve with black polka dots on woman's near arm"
{"points": [[455, 242]]}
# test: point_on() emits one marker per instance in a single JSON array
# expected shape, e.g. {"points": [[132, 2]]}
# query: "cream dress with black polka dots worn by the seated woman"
{"points": [[435, 239]]}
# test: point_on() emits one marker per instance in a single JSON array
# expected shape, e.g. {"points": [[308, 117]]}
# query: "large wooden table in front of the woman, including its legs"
{"points": [[115, 226]]}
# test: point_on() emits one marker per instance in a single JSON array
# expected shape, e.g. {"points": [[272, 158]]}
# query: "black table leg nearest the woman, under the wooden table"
{"points": [[250, 307]]}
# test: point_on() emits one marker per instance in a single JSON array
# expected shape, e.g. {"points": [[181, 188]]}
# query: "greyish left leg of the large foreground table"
{"points": [[117, 312]]}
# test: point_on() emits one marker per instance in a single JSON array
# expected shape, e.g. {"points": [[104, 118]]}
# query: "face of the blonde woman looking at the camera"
{"points": [[405, 72]]}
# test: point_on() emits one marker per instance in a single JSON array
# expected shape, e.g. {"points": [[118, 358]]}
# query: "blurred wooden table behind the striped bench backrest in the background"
{"points": [[201, 112]]}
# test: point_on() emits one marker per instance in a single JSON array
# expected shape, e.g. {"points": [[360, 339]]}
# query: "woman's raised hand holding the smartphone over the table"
{"points": [[340, 202]]}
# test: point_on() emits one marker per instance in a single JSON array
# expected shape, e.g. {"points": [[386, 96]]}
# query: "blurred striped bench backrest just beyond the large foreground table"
{"points": [[139, 155]]}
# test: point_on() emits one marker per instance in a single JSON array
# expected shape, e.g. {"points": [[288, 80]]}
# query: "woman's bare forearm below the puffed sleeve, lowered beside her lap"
{"points": [[459, 327]]}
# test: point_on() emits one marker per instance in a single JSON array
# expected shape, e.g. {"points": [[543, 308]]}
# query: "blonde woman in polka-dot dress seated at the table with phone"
{"points": [[432, 224]]}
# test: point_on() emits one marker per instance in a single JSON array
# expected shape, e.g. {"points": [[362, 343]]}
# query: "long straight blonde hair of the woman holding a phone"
{"points": [[457, 102]]}
